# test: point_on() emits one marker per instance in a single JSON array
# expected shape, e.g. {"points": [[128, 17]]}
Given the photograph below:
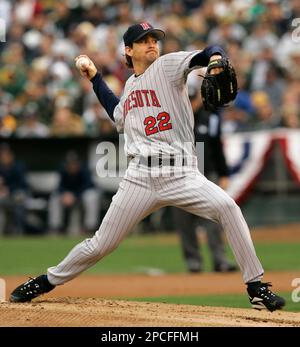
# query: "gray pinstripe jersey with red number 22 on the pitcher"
{"points": [[154, 115]]}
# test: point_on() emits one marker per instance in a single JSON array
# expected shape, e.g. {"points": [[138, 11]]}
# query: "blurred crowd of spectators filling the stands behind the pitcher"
{"points": [[43, 95]]}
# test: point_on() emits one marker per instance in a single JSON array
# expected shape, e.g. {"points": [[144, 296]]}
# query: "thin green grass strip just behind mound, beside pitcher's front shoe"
{"points": [[228, 300]]}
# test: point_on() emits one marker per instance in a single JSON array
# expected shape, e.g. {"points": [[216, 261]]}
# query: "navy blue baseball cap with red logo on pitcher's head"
{"points": [[137, 31]]}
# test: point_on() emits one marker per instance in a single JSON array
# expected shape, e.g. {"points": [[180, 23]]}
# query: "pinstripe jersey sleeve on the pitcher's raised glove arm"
{"points": [[177, 66]]}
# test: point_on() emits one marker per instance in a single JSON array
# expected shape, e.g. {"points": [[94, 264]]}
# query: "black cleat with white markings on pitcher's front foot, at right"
{"points": [[261, 297]]}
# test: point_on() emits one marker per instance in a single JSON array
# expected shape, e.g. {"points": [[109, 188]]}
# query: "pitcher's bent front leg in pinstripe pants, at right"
{"points": [[206, 199]]}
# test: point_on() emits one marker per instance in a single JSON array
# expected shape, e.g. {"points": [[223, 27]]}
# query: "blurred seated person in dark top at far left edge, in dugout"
{"points": [[12, 192]]}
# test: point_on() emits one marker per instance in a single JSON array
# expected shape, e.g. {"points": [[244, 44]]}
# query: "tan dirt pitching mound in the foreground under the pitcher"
{"points": [[92, 312]]}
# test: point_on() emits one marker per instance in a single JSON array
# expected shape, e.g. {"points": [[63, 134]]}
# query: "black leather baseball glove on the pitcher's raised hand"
{"points": [[220, 89]]}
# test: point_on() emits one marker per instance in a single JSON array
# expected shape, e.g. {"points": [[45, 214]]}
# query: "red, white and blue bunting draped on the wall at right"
{"points": [[247, 154]]}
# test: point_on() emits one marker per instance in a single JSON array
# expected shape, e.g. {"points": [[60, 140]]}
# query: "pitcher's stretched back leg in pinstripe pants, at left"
{"points": [[131, 204]]}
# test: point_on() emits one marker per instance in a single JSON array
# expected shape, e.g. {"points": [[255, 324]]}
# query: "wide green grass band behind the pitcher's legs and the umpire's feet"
{"points": [[137, 253]]}
